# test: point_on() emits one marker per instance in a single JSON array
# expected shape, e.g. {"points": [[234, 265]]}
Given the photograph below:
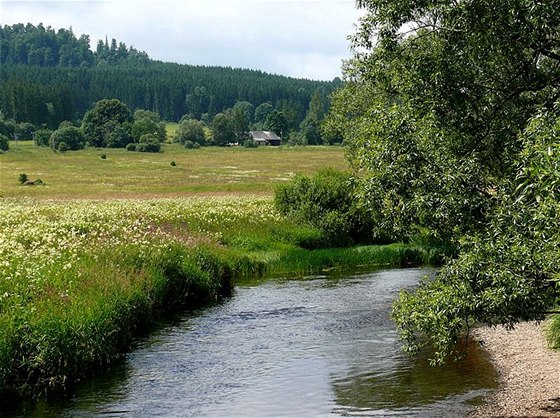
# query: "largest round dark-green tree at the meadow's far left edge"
{"points": [[107, 124]]}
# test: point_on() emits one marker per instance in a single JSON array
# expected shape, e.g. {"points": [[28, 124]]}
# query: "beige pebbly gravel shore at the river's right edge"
{"points": [[529, 373]]}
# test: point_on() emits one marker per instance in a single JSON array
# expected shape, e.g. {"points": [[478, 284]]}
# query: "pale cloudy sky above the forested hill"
{"points": [[296, 38]]}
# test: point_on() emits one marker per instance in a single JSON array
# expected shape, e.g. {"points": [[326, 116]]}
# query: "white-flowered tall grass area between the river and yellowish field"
{"points": [[80, 279]]}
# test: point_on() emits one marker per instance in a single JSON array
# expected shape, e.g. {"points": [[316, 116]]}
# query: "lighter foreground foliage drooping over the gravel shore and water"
{"points": [[506, 272]]}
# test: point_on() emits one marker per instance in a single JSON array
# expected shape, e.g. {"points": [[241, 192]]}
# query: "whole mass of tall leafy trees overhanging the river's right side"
{"points": [[436, 95]]}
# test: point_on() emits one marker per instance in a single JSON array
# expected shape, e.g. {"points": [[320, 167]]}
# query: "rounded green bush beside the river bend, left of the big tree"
{"points": [[328, 201]]}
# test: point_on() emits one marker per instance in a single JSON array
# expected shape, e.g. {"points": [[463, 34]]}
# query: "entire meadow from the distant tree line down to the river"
{"points": [[87, 266]]}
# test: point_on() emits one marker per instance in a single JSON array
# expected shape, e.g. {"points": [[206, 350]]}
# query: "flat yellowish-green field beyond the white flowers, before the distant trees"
{"points": [[125, 174]]}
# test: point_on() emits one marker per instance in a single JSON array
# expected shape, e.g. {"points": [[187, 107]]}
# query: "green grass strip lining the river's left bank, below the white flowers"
{"points": [[62, 341]]}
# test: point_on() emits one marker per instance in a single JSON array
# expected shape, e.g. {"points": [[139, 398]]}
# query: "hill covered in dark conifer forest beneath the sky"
{"points": [[48, 76]]}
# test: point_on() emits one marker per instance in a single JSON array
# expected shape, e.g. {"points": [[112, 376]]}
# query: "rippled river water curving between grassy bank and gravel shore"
{"points": [[315, 347]]}
